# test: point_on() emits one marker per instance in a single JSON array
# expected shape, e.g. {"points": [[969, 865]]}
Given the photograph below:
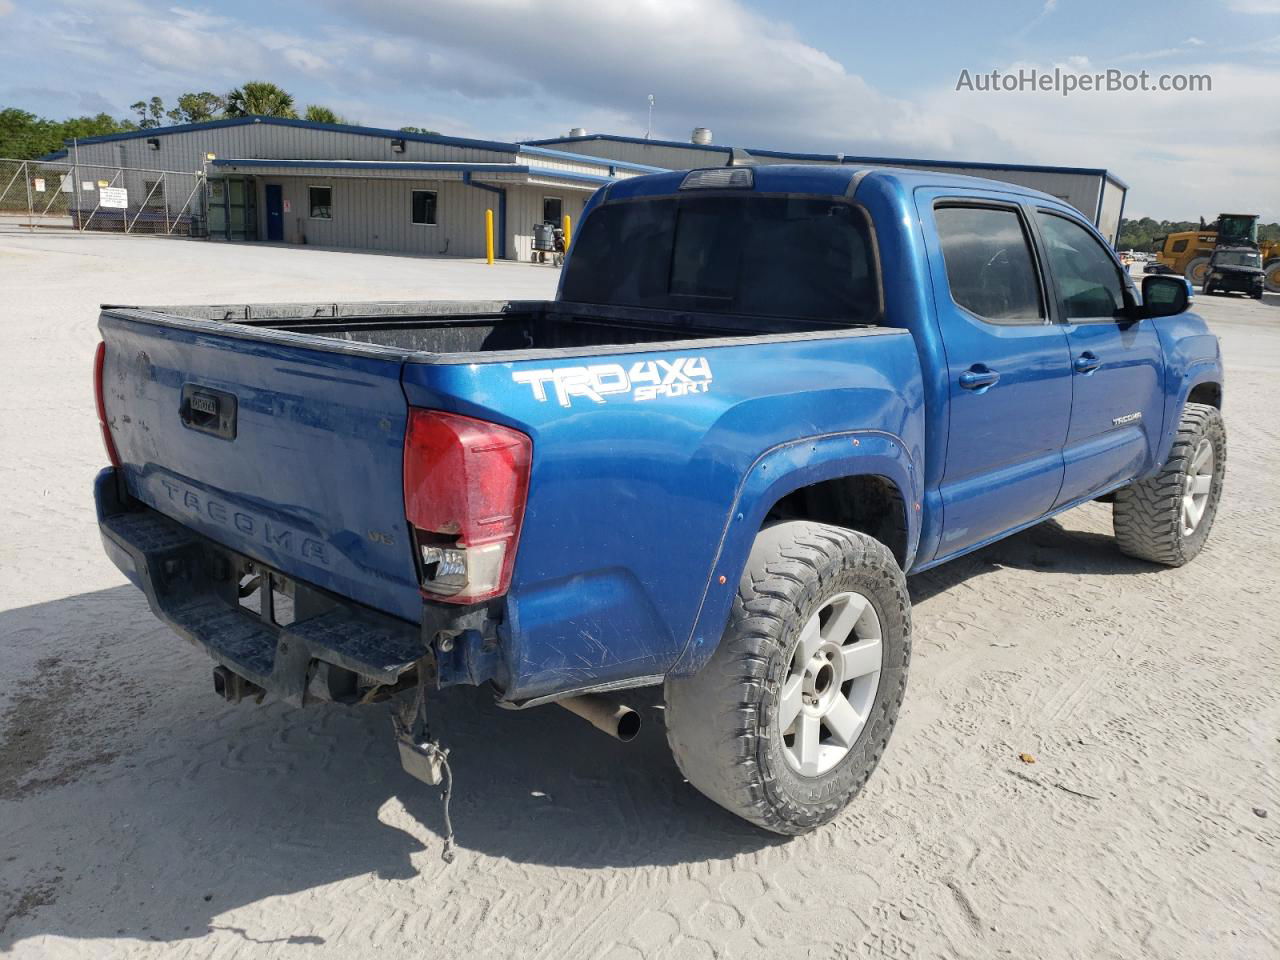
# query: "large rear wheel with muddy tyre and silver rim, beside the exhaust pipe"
{"points": [[792, 715]]}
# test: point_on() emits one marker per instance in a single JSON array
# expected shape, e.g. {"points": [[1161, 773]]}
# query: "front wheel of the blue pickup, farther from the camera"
{"points": [[1167, 519]]}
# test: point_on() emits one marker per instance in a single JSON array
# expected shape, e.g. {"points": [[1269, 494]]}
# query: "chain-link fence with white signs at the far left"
{"points": [[40, 194]]}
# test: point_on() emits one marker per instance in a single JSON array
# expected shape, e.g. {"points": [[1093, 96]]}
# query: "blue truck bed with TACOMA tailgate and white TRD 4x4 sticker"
{"points": [[275, 437]]}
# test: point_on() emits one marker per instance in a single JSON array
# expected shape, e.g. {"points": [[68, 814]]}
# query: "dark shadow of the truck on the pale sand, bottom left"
{"points": [[185, 808]]}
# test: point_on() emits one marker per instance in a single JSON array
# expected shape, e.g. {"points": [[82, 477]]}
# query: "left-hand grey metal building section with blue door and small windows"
{"points": [[344, 186]]}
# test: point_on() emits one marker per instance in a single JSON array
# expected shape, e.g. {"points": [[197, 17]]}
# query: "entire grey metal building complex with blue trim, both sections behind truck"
{"points": [[372, 189]]}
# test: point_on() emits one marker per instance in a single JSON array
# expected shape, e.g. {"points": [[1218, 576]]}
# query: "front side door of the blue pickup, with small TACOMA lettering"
{"points": [[1117, 395]]}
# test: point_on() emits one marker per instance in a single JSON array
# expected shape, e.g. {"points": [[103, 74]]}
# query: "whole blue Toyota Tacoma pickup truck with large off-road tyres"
{"points": [[761, 399]]}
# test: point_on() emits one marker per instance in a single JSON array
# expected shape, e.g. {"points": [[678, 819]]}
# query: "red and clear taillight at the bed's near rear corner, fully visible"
{"points": [[465, 488]]}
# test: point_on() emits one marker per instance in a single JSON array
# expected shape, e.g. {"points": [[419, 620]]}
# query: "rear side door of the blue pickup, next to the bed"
{"points": [[1008, 368]]}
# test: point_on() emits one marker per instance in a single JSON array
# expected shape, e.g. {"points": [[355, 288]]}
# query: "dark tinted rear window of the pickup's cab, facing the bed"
{"points": [[752, 255]]}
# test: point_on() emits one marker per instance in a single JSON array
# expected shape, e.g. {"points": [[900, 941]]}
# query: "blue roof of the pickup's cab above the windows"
{"points": [[821, 180]]}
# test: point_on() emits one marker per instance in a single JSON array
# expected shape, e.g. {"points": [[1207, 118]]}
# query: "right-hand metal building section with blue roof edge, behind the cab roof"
{"points": [[1095, 193]]}
